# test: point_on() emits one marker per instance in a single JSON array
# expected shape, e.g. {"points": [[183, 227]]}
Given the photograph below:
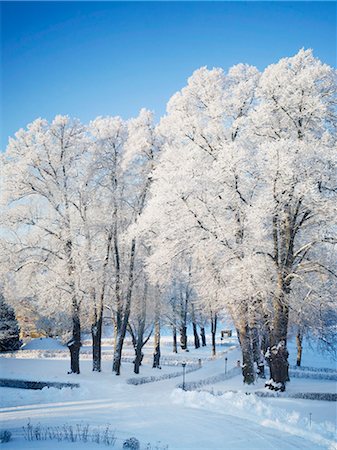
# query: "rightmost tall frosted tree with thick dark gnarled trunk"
{"points": [[294, 128]]}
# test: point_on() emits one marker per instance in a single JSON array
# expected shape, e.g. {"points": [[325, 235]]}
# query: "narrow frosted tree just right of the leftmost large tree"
{"points": [[109, 136]]}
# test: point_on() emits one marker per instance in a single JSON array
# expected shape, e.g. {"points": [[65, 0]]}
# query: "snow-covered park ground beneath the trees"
{"points": [[222, 414]]}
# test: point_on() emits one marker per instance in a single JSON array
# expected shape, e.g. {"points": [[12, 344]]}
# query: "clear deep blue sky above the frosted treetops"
{"points": [[98, 58]]}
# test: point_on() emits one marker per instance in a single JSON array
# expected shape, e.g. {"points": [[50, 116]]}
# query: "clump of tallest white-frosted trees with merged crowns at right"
{"points": [[245, 185]]}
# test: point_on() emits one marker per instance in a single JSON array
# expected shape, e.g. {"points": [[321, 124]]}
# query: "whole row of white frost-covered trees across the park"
{"points": [[229, 201]]}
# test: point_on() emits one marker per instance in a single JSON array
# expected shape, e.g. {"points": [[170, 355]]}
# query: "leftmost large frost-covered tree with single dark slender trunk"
{"points": [[42, 169]]}
